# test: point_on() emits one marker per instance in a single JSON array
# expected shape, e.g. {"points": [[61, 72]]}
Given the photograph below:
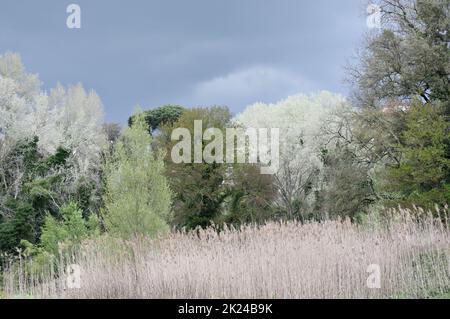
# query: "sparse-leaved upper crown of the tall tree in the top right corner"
{"points": [[409, 57]]}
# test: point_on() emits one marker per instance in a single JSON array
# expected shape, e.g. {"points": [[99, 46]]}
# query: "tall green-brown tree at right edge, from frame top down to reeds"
{"points": [[406, 63]]}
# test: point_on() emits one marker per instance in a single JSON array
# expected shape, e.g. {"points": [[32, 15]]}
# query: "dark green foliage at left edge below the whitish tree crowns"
{"points": [[34, 185]]}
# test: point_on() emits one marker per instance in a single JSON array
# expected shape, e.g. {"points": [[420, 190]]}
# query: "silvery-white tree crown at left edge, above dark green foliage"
{"points": [[68, 118]]}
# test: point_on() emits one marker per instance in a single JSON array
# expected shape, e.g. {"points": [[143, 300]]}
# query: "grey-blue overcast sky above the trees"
{"points": [[188, 52]]}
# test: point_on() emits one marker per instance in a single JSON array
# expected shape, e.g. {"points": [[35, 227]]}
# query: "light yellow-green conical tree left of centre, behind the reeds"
{"points": [[137, 195]]}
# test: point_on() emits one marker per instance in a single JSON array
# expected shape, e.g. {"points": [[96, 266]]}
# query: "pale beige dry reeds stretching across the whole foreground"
{"points": [[278, 260]]}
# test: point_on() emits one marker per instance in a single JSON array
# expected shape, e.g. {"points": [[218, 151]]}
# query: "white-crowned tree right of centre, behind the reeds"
{"points": [[300, 119]]}
